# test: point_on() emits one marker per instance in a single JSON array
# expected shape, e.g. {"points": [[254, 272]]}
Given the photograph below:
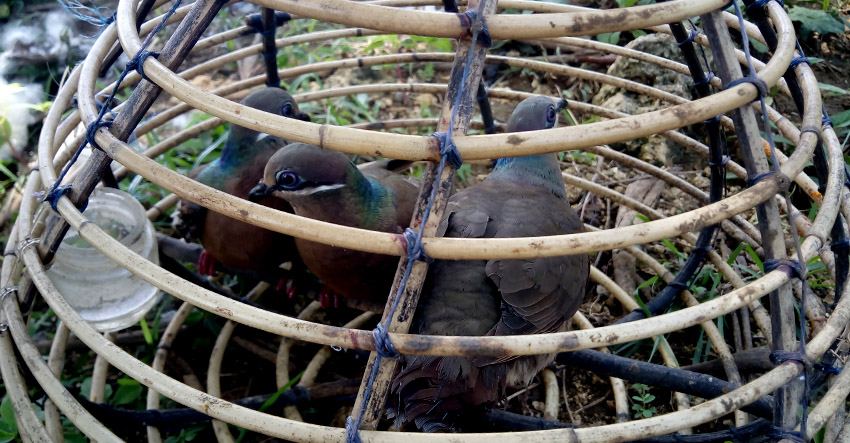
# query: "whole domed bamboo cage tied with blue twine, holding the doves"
{"points": [[37, 227]]}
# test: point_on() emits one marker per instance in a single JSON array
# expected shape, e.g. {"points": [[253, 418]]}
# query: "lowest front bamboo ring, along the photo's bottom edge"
{"points": [[296, 431]]}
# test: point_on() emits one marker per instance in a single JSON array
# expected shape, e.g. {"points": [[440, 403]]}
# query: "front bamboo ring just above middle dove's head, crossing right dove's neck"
{"points": [[478, 147]]}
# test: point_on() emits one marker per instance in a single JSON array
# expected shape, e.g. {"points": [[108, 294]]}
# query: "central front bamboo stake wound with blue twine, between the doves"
{"points": [[404, 313]]}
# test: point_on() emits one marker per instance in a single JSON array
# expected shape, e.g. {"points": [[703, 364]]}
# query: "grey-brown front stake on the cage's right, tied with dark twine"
{"points": [[755, 161]]}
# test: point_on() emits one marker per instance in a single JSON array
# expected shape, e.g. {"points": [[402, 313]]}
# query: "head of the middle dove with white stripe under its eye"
{"points": [[300, 171]]}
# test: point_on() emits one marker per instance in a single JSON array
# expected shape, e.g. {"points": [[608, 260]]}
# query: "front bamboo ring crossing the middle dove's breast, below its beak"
{"points": [[454, 248]]}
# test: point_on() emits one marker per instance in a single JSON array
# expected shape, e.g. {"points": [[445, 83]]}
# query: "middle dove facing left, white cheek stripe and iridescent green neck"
{"points": [[325, 185]]}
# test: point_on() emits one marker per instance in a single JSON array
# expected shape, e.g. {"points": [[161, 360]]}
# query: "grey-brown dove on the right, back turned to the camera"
{"points": [[522, 197]]}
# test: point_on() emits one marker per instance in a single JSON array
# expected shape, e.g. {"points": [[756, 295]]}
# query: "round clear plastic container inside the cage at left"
{"points": [[105, 294]]}
